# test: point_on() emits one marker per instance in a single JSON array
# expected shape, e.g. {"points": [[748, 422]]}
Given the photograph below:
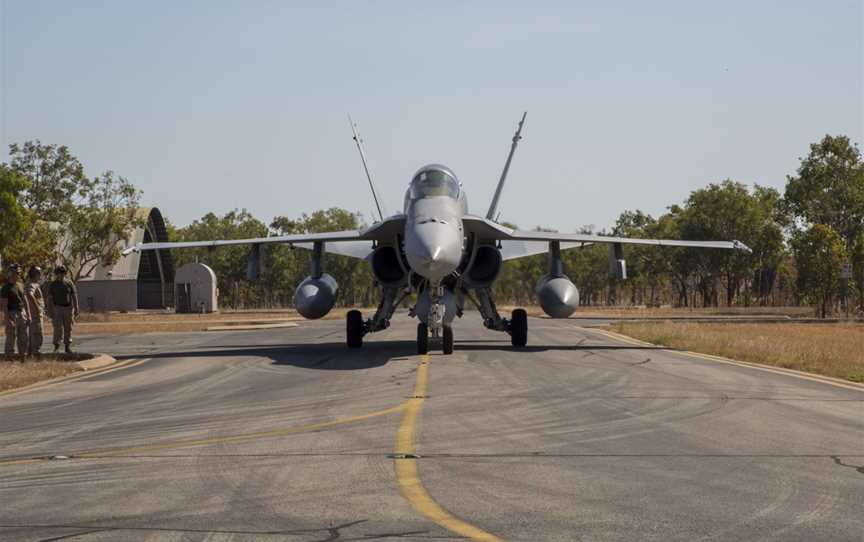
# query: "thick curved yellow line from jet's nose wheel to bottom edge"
{"points": [[407, 475]]}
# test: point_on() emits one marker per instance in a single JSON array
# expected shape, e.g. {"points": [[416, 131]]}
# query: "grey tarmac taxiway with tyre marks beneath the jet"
{"points": [[287, 435]]}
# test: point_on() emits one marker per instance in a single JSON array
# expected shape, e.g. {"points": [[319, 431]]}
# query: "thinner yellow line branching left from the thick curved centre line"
{"points": [[133, 450]]}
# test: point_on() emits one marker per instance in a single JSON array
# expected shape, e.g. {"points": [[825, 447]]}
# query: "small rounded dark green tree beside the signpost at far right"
{"points": [[819, 253]]}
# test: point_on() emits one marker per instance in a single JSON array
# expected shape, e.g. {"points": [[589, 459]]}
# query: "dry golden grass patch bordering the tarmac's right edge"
{"points": [[835, 350]]}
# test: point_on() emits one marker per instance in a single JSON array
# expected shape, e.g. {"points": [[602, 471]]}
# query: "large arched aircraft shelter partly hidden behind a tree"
{"points": [[141, 280]]}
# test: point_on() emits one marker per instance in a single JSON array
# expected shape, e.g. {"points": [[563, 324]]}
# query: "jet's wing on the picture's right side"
{"points": [[487, 229]]}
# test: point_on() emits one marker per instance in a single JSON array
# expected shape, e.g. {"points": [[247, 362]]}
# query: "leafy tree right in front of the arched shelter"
{"points": [[106, 215]]}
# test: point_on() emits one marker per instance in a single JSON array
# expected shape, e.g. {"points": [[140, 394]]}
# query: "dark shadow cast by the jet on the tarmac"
{"points": [[336, 356]]}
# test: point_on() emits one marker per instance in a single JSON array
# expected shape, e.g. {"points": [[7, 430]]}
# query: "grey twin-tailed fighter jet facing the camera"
{"points": [[446, 256]]}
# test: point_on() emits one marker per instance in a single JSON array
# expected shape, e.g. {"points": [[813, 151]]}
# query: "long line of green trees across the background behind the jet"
{"points": [[51, 211]]}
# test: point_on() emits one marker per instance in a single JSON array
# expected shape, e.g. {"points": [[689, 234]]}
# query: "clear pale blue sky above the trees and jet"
{"points": [[210, 106]]}
